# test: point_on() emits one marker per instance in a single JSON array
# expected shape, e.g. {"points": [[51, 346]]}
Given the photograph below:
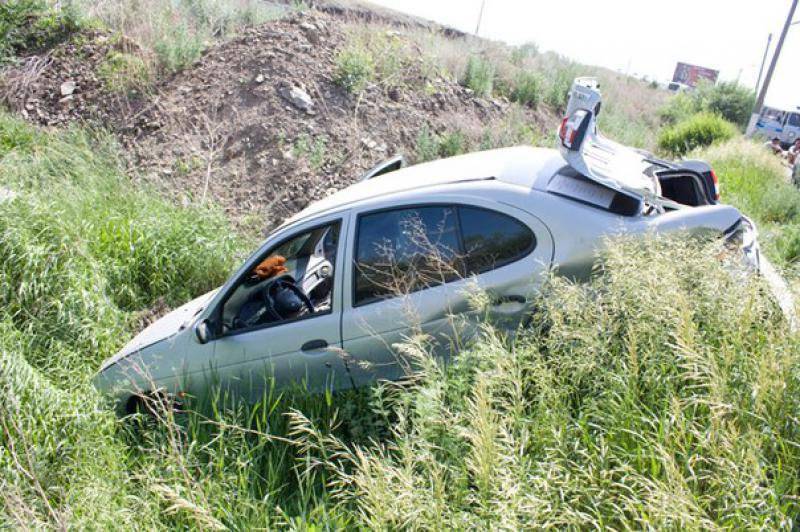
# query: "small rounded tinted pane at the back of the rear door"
{"points": [[492, 239]]}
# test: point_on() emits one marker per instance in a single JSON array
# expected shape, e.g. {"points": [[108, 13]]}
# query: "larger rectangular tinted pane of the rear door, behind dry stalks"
{"points": [[405, 250]]}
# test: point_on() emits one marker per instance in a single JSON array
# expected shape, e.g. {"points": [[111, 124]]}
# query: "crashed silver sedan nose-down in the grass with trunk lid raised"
{"points": [[330, 292]]}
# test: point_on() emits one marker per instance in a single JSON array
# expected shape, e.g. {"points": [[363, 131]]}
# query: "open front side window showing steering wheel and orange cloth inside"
{"points": [[293, 280]]}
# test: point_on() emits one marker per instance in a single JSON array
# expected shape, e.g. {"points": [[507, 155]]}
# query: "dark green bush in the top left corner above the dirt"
{"points": [[31, 25]]}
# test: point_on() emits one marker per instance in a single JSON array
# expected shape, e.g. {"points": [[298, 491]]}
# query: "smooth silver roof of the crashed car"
{"points": [[524, 166]]}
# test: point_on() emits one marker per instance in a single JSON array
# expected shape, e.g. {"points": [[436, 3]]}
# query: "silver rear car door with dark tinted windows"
{"points": [[440, 306]]}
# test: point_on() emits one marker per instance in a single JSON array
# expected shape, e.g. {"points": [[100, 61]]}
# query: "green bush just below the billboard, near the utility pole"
{"points": [[728, 99]]}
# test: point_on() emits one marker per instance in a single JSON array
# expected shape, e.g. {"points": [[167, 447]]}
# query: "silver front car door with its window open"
{"points": [[298, 352]]}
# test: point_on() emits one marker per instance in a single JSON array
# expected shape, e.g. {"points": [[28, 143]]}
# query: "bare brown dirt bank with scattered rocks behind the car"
{"points": [[257, 124]]}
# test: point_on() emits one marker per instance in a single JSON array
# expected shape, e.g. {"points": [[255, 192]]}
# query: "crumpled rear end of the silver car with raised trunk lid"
{"points": [[658, 195]]}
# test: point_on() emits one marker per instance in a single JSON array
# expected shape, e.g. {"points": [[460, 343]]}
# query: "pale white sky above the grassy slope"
{"points": [[645, 37]]}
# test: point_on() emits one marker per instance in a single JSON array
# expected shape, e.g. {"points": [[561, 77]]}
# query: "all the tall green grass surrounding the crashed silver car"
{"points": [[663, 393]]}
